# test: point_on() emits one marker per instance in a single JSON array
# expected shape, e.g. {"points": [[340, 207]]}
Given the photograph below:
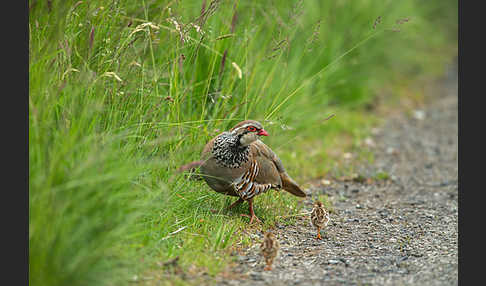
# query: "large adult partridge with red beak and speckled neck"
{"points": [[237, 163]]}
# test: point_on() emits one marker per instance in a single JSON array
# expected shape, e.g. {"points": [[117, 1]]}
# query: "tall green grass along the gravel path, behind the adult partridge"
{"points": [[119, 99]]}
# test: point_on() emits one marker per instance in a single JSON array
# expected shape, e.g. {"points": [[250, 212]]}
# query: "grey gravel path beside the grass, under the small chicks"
{"points": [[399, 231]]}
